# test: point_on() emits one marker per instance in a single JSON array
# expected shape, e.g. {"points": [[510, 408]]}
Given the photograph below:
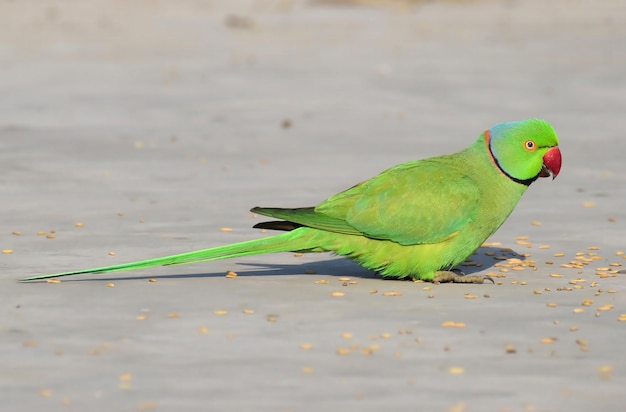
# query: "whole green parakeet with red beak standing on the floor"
{"points": [[416, 220]]}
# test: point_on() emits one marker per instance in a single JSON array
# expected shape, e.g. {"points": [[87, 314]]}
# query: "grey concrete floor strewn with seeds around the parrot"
{"points": [[156, 124]]}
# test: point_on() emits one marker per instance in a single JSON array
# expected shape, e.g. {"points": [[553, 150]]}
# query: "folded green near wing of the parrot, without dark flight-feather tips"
{"points": [[425, 201]]}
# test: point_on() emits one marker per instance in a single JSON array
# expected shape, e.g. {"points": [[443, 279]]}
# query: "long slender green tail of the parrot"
{"points": [[290, 241]]}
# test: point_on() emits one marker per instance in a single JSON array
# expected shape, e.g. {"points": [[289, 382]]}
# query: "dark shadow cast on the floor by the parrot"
{"points": [[483, 259]]}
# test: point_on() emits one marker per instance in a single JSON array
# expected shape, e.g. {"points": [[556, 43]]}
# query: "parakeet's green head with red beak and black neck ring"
{"points": [[524, 150]]}
